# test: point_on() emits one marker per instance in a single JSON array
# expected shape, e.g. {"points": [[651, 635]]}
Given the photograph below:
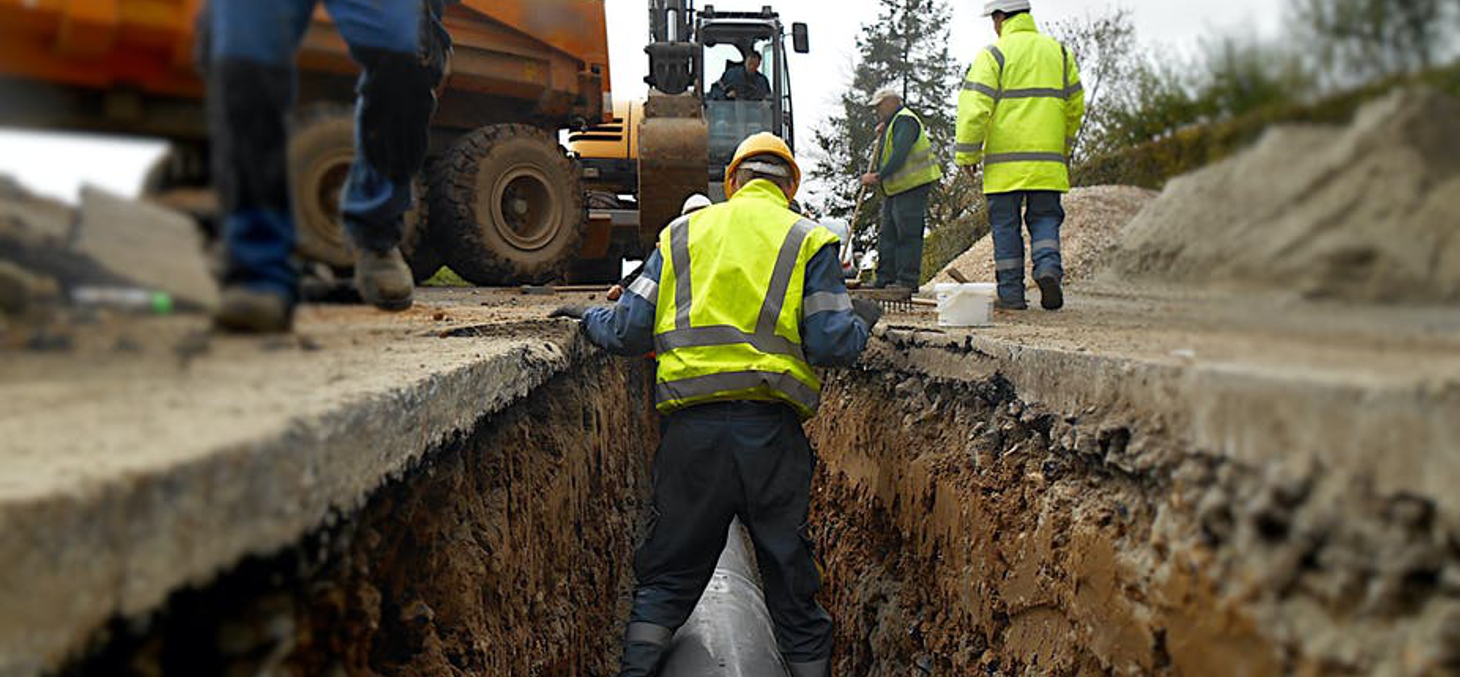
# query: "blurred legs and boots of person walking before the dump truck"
{"points": [[402, 49]]}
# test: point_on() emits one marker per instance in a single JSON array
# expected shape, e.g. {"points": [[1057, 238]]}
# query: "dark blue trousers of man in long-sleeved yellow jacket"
{"points": [[1043, 215]]}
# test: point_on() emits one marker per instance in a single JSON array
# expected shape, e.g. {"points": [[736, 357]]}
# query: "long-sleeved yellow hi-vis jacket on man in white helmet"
{"points": [[1020, 112]]}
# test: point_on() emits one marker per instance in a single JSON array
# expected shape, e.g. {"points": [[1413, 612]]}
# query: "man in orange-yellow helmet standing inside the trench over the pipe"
{"points": [[739, 303]]}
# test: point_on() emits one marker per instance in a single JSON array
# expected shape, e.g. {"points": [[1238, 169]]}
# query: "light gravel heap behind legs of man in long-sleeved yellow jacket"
{"points": [[1093, 218]]}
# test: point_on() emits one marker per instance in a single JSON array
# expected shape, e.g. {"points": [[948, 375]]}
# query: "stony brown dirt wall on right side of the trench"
{"points": [[967, 532]]}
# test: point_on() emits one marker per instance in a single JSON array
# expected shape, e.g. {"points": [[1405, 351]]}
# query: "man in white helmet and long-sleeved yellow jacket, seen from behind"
{"points": [[1020, 112]]}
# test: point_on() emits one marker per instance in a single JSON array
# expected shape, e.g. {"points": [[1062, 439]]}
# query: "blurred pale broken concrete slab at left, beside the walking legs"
{"points": [[150, 246]]}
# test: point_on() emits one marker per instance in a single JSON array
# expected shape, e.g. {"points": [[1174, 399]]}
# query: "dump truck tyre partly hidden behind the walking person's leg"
{"points": [[322, 148]]}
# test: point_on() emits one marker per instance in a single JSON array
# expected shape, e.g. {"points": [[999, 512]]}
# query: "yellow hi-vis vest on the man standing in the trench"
{"points": [[728, 326]]}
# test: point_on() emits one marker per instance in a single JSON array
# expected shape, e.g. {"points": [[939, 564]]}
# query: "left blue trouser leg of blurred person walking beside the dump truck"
{"points": [[252, 84]]}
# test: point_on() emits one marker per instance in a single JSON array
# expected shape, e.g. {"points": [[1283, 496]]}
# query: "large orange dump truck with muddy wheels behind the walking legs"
{"points": [[503, 201]]}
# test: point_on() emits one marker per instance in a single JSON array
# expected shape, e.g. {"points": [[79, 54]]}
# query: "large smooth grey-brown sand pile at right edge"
{"points": [[1369, 212]]}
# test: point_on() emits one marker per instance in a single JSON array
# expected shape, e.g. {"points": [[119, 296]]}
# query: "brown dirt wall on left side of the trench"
{"points": [[507, 552]]}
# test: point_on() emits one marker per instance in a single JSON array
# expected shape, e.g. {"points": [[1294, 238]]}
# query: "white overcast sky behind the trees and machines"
{"points": [[59, 164]]}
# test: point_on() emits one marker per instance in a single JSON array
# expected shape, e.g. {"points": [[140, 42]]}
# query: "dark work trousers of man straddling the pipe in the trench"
{"points": [[716, 462]]}
